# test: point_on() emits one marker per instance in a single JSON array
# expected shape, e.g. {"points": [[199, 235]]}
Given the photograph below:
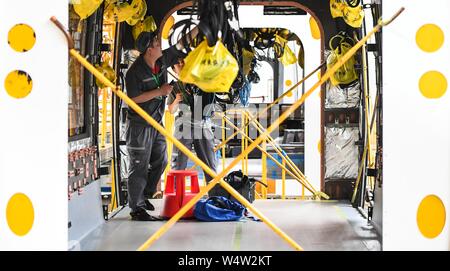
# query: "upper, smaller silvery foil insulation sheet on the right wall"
{"points": [[338, 97]]}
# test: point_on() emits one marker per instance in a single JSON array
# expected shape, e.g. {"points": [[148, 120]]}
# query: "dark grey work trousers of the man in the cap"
{"points": [[148, 159]]}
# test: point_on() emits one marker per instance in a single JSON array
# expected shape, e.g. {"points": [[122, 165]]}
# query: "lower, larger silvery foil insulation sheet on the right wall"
{"points": [[341, 158]]}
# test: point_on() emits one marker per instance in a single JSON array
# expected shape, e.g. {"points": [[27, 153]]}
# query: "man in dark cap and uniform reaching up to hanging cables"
{"points": [[146, 84]]}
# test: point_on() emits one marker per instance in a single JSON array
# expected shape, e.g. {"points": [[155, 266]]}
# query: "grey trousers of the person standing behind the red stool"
{"points": [[204, 148]]}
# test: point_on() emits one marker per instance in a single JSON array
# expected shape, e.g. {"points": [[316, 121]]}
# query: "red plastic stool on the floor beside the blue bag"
{"points": [[176, 197]]}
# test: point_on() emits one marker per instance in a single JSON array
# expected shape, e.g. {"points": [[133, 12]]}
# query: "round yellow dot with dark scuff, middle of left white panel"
{"points": [[18, 84]]}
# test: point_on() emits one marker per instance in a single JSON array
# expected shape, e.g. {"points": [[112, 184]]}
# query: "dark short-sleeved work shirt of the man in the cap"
{"points": [[141, 78]]}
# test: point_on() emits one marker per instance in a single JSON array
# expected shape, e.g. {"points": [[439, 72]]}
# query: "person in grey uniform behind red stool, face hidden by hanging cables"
{"points": [[193, 109]]}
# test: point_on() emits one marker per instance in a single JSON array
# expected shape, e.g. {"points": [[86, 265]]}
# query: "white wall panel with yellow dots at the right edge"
{"points": [[416, 128]]}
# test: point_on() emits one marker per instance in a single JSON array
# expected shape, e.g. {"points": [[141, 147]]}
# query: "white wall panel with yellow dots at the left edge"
{"points": [[33, 133]]}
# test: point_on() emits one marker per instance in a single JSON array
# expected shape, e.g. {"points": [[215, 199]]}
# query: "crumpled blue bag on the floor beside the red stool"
{"points": [[216, 209]]}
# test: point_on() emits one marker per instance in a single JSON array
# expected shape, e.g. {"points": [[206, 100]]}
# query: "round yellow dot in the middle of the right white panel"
{"points": [[433, 85]]}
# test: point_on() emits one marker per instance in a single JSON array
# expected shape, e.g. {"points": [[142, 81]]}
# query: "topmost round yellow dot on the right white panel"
{"points": [[430, 38]]}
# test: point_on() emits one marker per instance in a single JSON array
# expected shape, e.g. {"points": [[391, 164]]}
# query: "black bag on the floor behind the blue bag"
{"points": [[242, 184]]}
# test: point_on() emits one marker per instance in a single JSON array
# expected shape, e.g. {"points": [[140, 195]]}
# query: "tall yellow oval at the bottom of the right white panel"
{"points": [[431, 216]]}
